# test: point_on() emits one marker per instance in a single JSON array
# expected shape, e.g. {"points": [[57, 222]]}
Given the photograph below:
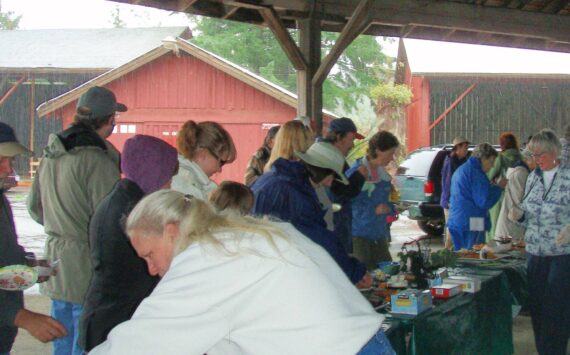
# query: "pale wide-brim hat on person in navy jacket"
{"points": [[327, 156]]}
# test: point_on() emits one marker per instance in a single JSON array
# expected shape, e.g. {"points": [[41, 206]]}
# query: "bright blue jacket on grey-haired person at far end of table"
{"points": [[472, 195]]}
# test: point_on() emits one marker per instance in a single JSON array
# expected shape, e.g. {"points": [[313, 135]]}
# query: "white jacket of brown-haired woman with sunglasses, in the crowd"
{"points": [[192, 180]]}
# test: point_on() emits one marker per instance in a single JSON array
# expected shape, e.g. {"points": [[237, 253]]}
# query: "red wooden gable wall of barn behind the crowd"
{"points": [[167, 92]]}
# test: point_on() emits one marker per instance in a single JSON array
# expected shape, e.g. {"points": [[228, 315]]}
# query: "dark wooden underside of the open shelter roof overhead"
{"points": [[535, 24]]}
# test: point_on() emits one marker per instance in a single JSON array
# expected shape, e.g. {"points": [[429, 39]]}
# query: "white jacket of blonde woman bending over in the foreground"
{"points": [[297, 302]]}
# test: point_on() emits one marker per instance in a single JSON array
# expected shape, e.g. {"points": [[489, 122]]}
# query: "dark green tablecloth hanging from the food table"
{"points": [[479, 323]]}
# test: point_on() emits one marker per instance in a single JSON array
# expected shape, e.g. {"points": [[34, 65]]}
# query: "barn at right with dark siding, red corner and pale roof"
{"points": [[481, 91]]}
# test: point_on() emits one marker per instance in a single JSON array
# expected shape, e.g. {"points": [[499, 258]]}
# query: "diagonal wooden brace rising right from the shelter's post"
{"points": [[358, 22]]}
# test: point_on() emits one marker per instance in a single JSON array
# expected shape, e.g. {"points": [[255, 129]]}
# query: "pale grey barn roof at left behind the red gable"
{"points": [[80, 48]]}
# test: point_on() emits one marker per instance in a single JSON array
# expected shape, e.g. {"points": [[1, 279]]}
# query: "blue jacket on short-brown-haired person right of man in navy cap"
{"points": [[365, 222]]}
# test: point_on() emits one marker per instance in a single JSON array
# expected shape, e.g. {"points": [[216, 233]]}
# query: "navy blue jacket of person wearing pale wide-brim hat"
{"points": [[286, 192]]}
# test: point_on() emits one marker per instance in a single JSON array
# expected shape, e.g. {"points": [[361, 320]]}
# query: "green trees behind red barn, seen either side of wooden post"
{"points": [[357, 71]]}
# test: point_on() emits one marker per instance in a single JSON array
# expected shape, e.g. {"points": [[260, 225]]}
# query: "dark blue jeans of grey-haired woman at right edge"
{"points": [[549, 302]]}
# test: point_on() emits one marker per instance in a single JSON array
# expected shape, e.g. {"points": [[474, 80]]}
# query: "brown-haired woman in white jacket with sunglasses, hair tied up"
{"points": [[203, 148]]}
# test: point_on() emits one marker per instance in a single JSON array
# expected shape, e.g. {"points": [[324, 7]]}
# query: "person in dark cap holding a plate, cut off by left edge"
{"points": [[13, 315]]}
